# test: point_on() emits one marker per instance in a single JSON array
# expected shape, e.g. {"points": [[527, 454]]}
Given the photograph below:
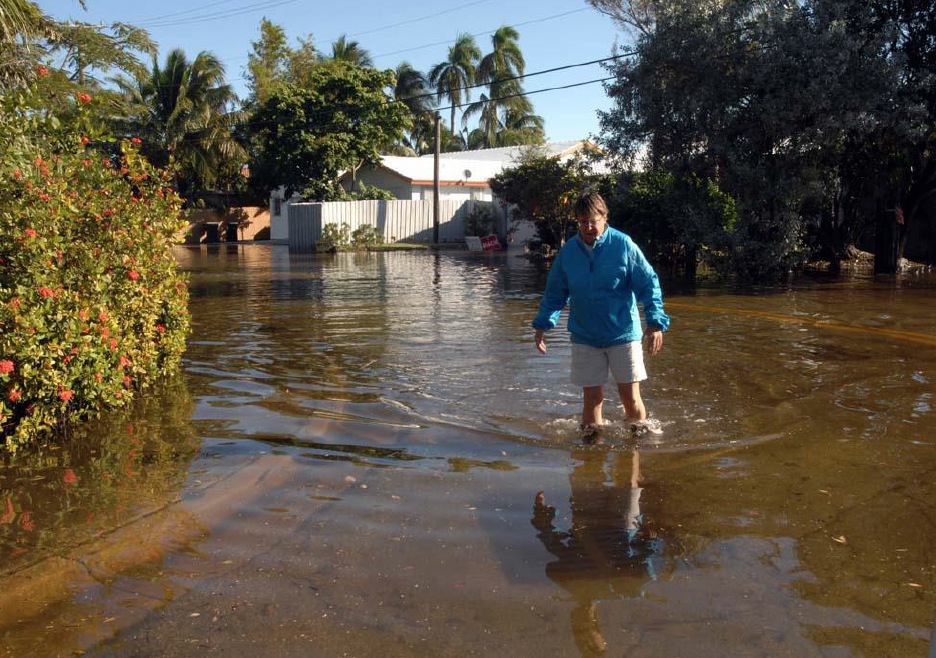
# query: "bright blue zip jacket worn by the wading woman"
{"points": [[602, 289]]}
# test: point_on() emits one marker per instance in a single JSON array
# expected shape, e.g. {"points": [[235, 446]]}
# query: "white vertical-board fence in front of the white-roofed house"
{"points": [[398, 221]]}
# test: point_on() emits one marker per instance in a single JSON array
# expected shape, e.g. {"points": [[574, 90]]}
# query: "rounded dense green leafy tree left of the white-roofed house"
{"points": [[306, 137]]}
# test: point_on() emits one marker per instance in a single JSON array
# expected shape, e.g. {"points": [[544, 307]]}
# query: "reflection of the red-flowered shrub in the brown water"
{"points": [[105, 473]]}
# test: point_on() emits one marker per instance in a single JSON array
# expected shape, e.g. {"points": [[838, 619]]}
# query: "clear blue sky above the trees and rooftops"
{"points": [[553, 33]]}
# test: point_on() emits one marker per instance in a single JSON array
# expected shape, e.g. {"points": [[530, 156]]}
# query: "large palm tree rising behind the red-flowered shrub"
{"points": [[182, 112]]}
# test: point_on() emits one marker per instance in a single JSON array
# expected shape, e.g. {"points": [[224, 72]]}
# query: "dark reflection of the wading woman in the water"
{"points": [[608, 551]]}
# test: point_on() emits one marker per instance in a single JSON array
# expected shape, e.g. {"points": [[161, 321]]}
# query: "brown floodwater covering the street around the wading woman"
{"points": [[351, 465]]}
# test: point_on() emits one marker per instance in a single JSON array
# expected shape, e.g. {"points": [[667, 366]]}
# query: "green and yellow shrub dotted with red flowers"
{"points": [[92, 306]]}
